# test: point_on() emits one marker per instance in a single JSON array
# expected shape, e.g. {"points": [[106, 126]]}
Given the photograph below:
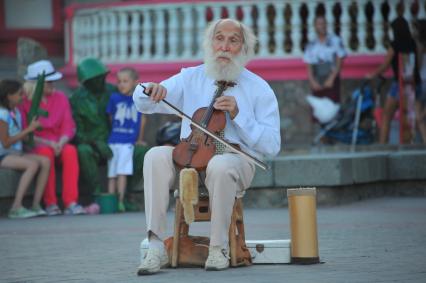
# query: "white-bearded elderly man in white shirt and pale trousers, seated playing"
{"points": [[252, 119]]}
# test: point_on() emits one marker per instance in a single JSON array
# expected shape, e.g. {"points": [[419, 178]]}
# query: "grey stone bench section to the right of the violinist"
{"points": [[341, 177]]}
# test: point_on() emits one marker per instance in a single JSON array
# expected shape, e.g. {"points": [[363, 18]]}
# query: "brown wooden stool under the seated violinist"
{"points": [[202, 213]]}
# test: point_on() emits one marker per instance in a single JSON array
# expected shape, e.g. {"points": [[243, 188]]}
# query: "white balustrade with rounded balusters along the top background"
{"points": [[141, 33]]}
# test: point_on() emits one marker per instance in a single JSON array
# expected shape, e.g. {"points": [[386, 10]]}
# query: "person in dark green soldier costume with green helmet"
{"points": [[89, 104]]}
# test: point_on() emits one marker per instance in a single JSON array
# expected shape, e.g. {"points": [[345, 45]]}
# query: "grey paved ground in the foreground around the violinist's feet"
{"points": [[379, 240]]}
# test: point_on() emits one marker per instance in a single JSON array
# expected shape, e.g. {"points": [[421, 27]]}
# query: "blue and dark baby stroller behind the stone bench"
{"points": [[354, 122]]}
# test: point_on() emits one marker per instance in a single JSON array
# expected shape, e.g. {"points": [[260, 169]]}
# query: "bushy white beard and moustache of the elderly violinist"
{"points": [[221, 71]]}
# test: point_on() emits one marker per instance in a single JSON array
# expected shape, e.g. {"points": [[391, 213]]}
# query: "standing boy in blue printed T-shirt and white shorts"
{"points": [[127, 129]]}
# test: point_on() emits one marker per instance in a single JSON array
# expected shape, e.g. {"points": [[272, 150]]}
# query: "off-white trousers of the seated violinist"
{"points": [[227, 177]]}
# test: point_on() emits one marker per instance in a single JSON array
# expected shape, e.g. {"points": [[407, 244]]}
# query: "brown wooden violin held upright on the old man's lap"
{"points": [[197, 149]]}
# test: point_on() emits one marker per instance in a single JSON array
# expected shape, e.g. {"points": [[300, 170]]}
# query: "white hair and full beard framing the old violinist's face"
{"points": [[232, 70]]}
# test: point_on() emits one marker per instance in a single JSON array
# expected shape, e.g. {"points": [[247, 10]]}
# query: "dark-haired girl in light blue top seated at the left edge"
{"points": [[11, 155]]}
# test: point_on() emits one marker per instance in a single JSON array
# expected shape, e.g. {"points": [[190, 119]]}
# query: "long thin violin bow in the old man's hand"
{"points": [[182, 115]]}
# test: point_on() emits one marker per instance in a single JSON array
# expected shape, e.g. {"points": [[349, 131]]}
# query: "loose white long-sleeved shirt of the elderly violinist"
{"points": [[256, 128]]}
